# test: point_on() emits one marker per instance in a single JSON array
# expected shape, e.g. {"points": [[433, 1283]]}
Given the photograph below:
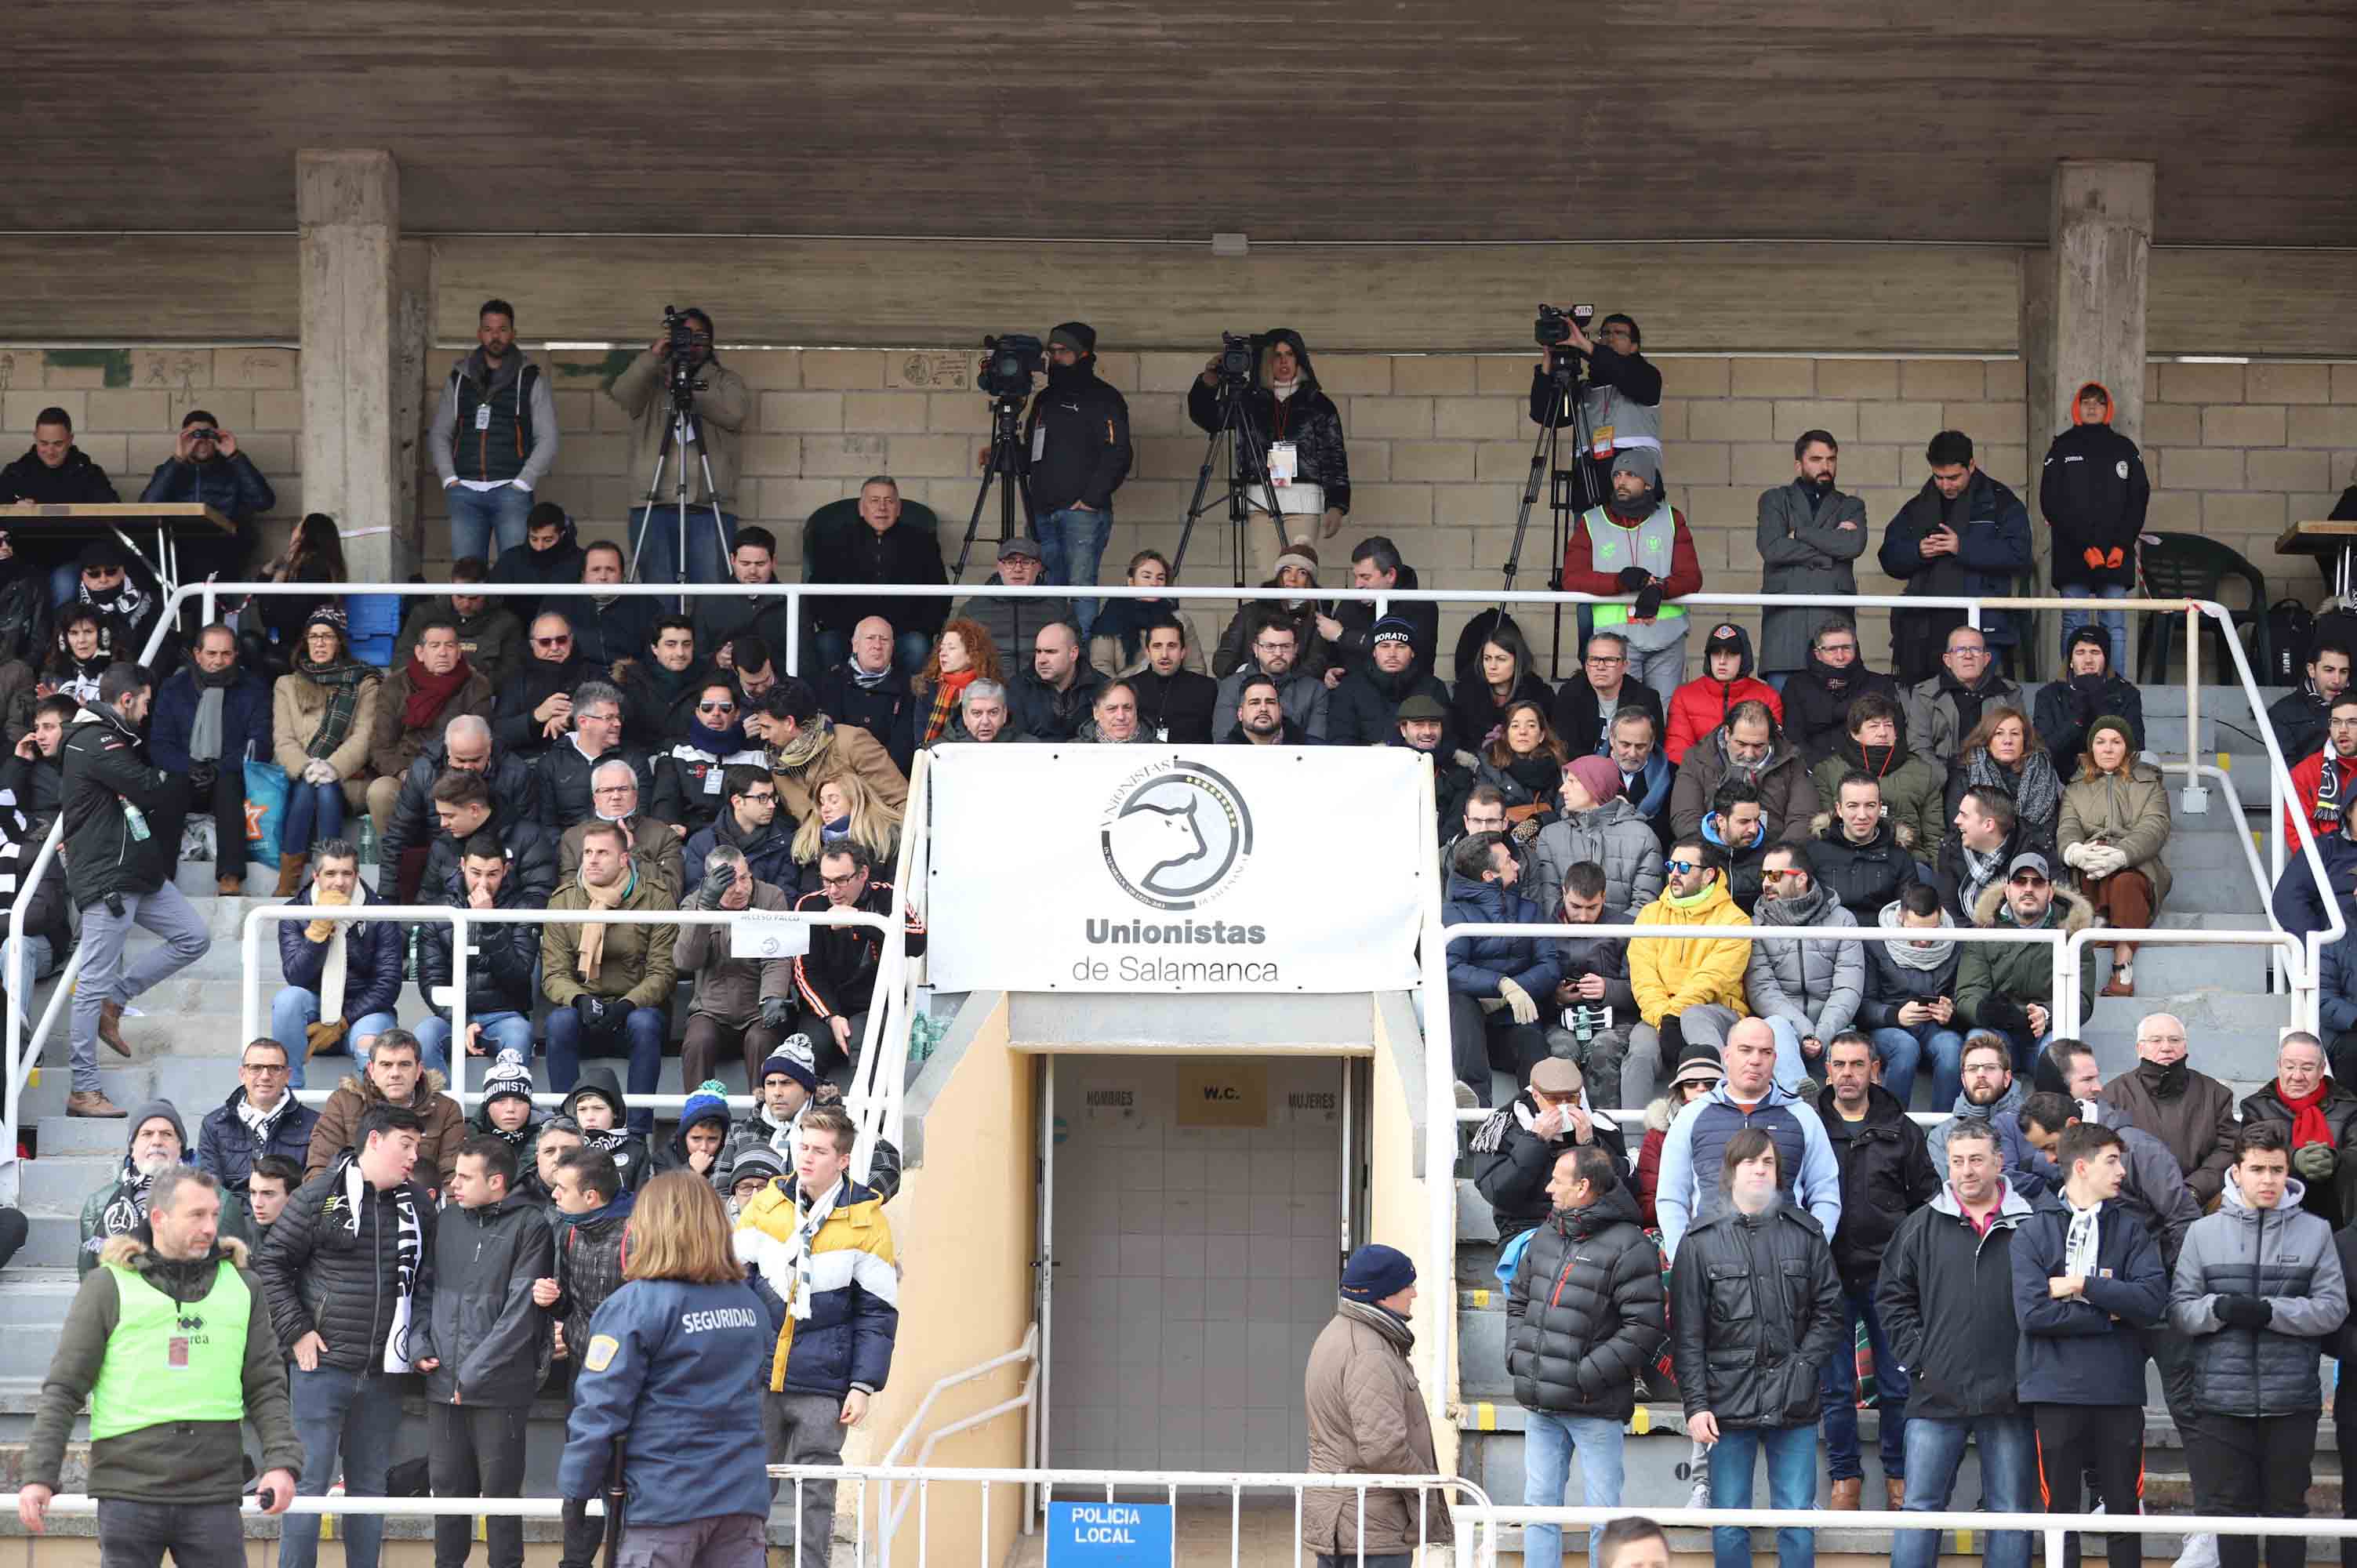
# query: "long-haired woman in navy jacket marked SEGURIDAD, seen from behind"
{"points": [[666, 1376]]}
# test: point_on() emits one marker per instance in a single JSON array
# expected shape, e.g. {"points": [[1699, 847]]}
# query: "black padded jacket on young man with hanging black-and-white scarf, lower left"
{"points": [[324, 1277]]}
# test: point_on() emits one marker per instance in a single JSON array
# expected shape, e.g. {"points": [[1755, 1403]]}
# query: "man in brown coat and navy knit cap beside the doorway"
{"points": [[1366, 1418]]}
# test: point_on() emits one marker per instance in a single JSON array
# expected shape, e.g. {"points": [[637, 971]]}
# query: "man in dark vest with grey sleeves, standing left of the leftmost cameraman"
{"points": [[494, 437]]}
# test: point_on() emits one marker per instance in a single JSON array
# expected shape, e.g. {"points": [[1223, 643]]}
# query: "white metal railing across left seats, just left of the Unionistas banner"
{"points": [[461, 921]]}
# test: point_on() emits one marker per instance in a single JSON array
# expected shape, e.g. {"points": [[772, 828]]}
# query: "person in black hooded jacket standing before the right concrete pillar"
{"points": [[2094, 496]]}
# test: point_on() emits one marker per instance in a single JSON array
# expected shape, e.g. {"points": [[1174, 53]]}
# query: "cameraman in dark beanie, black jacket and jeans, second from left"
{"points": [[1078, 442]]}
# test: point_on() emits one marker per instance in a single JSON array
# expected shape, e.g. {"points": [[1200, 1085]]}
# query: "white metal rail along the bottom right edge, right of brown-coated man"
{"points": [[2054, 1529]]}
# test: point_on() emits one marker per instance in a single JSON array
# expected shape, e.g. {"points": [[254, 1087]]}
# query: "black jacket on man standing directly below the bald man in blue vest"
{"points": [[1755, 1310]]}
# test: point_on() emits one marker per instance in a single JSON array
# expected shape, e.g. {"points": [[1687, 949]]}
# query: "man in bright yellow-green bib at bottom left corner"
{"points": [[173, 1348]]}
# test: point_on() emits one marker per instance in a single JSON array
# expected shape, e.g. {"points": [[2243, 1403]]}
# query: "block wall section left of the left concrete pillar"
{"points": [[128, 402]]}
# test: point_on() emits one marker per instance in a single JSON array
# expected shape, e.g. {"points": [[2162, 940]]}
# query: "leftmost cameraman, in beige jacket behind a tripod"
{"points": [[722, 404]]}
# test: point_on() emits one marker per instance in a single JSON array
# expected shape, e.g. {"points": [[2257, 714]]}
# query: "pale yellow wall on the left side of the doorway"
{"points": [[963, 1225]]}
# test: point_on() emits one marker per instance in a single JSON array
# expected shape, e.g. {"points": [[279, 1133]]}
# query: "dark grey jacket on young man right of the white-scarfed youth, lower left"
{"points": [[494, 1345]]}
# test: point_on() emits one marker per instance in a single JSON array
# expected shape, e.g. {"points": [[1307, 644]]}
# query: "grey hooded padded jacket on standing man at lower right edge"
{"points": [[2283, 1256]]}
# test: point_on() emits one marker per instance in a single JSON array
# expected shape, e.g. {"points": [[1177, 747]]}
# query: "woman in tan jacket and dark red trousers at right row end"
{"points": [[2115, 826]]}
